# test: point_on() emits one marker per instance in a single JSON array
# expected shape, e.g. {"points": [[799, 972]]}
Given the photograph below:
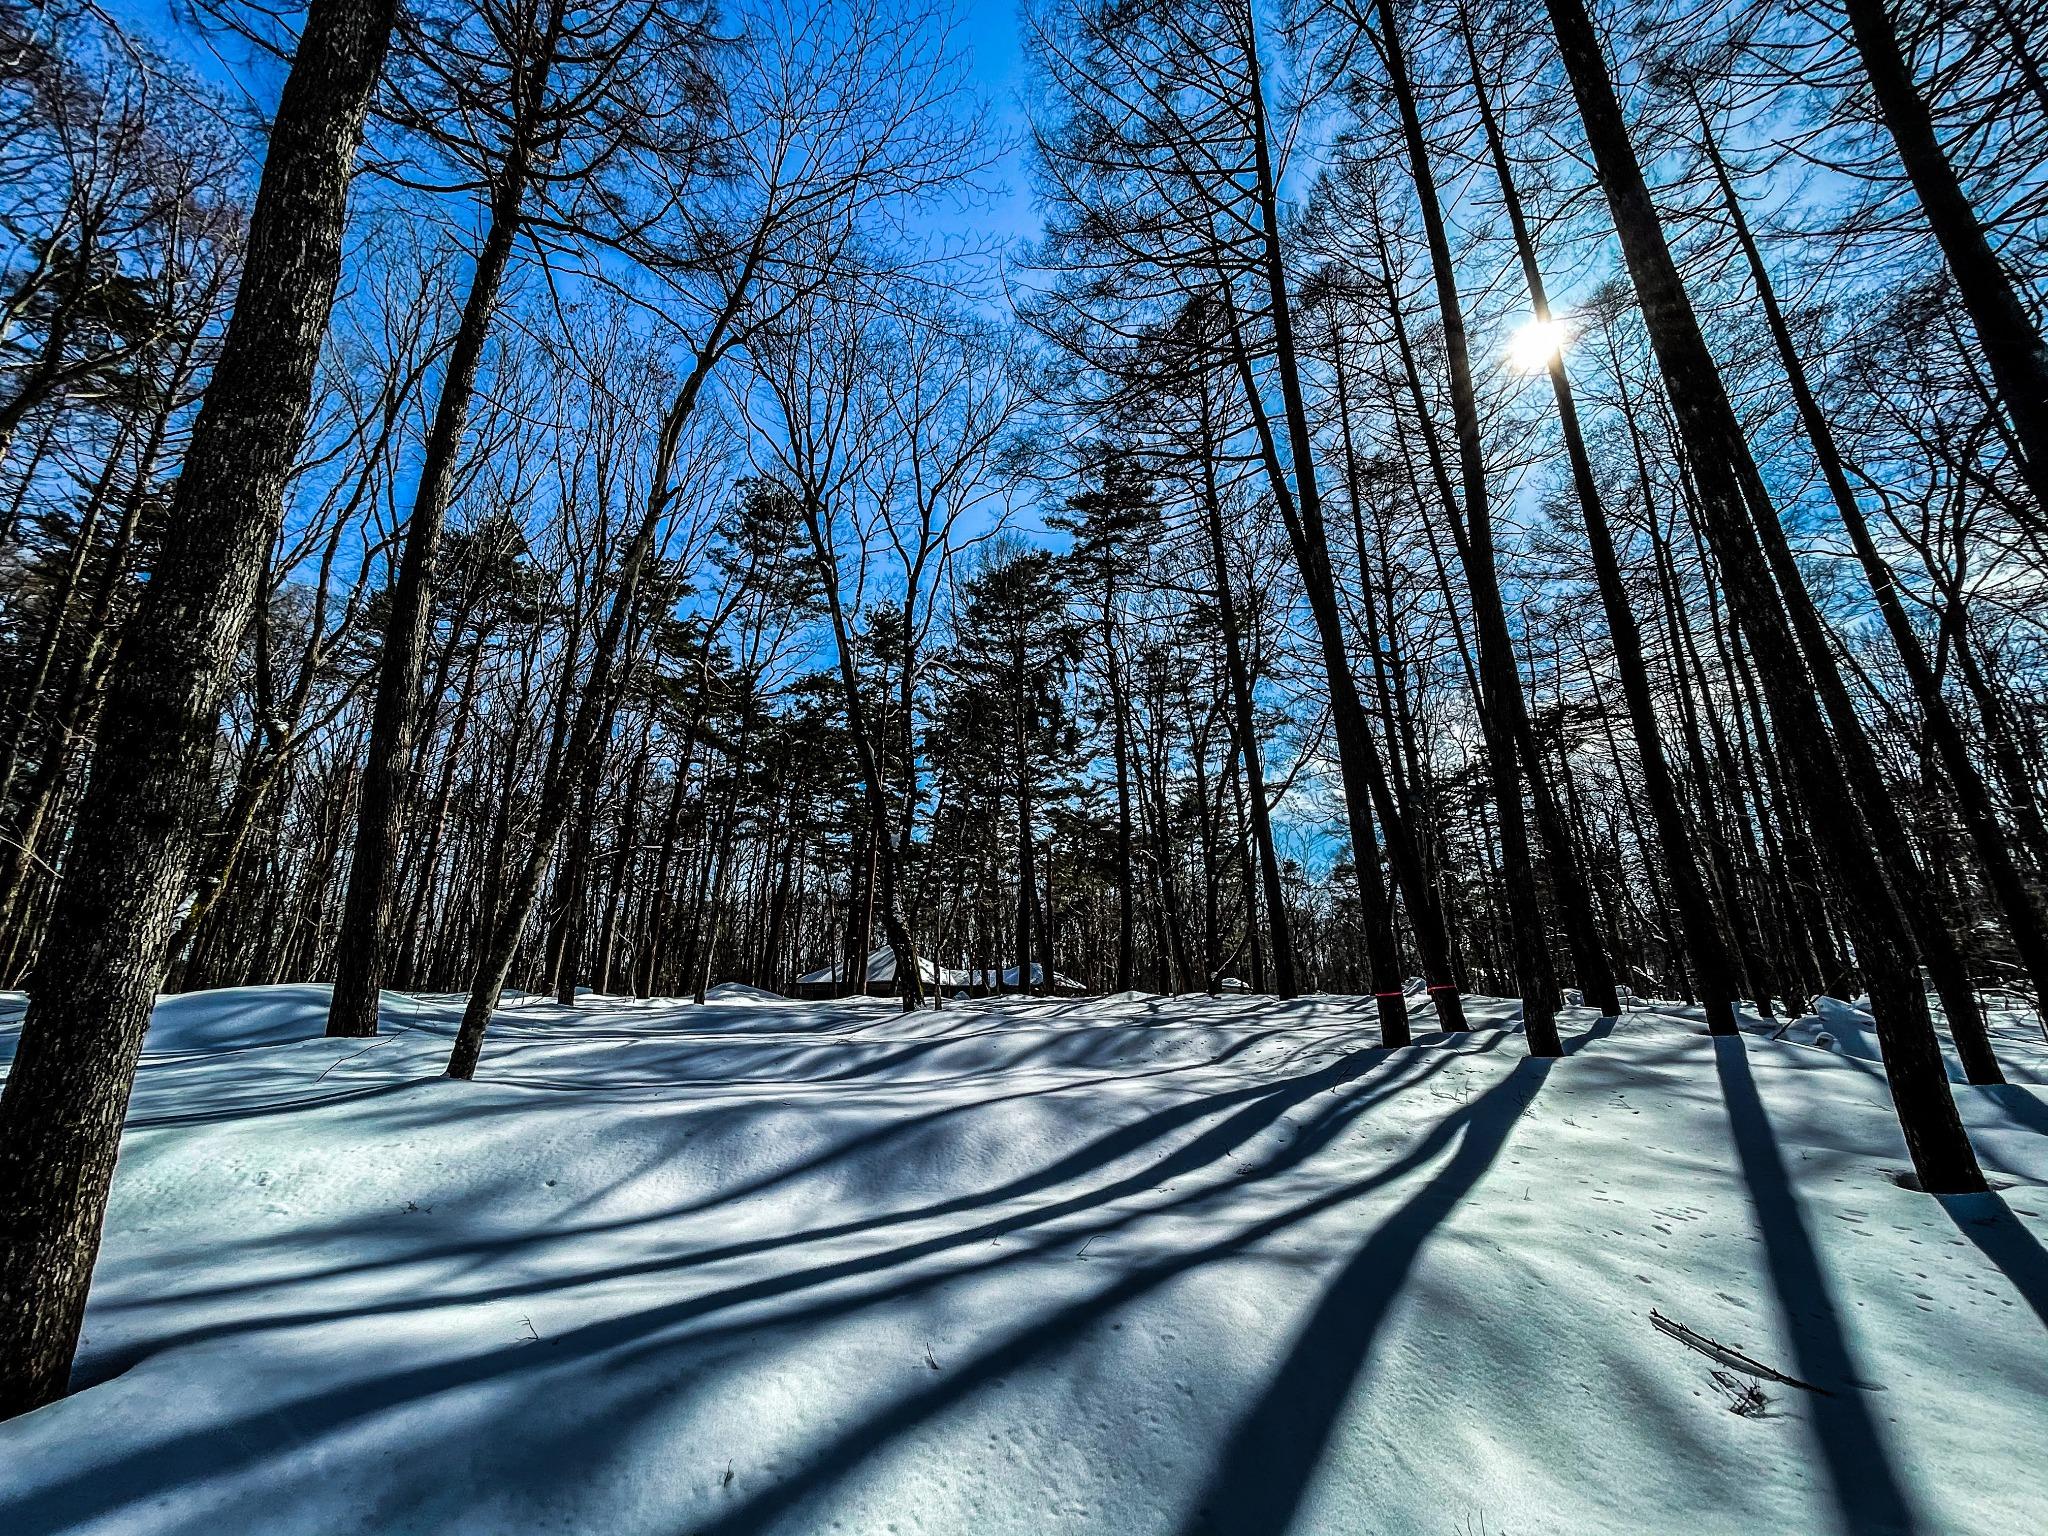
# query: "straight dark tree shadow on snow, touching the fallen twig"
{"points": [[1852, 1451]]}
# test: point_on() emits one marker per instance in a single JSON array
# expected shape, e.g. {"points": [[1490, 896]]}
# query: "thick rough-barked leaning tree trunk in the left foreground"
{"points": [[60, 1117]]}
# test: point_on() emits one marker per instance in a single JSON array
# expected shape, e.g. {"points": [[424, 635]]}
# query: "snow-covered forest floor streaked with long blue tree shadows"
{"points": [[1123, 1267]]}
